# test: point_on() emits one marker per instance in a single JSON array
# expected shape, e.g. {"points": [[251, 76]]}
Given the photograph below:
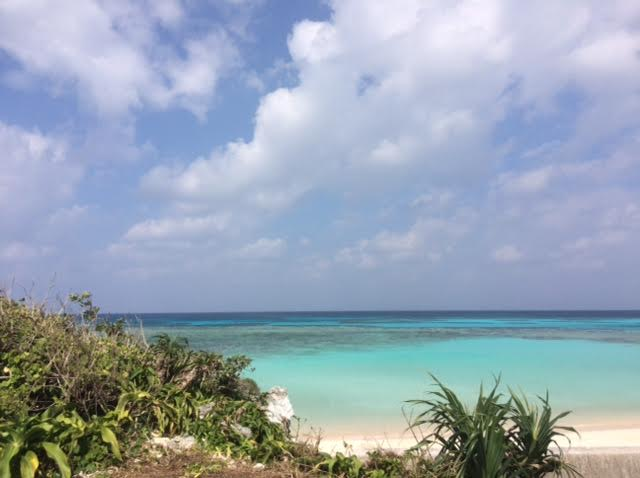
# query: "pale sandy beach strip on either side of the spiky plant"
{"points": [[595, 440]]}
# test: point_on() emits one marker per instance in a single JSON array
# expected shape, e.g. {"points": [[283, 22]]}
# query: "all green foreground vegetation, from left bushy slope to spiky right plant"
{"points": [[80, 393]]}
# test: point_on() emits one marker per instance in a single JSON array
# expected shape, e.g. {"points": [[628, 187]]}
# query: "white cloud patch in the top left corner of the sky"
{"points": [[111, 51]]}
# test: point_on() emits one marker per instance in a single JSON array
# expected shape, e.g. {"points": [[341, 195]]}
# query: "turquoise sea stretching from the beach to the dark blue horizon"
{"points": [[352, 373]]}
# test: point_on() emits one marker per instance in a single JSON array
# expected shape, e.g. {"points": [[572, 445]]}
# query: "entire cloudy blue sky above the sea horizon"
{"points": [[240, 155]]}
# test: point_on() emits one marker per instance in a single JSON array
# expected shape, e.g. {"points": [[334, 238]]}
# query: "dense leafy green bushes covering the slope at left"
{"points": [[74, 388]]}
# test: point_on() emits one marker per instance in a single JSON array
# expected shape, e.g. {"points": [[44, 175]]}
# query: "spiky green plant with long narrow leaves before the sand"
{"points": [[501, 436]]}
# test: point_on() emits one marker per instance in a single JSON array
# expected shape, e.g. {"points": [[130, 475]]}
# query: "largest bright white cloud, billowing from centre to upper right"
{"points": [[390, 95]]}
